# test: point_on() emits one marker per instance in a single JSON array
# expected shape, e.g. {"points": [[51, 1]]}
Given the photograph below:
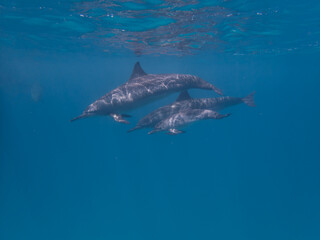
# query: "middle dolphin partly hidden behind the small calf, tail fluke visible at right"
{"points": [[184, 101]]}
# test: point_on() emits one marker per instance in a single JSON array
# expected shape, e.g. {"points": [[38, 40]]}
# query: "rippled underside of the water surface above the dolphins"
{"points": [[163, 27]]}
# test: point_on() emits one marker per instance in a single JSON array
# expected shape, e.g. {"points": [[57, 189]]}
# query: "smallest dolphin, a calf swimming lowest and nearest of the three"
{"points": [[183, 118]]}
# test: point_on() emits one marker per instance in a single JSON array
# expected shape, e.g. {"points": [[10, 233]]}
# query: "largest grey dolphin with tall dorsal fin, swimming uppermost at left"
{"points": [[142, 88]]}
